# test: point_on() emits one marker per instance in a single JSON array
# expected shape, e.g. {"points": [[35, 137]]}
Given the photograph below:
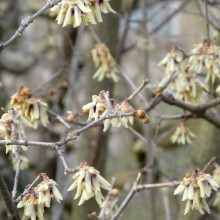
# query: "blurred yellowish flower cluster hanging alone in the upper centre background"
{"points": [[103, 59]]}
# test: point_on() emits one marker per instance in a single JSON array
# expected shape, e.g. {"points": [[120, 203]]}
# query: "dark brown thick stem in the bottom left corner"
{"points": [[12, 211]]}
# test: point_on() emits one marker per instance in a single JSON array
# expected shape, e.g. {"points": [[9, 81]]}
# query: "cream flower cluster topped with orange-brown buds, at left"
{"points": [[30, 109]]}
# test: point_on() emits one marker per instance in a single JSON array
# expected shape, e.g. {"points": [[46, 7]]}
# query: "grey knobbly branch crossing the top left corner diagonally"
{"points": [[25, 23]]}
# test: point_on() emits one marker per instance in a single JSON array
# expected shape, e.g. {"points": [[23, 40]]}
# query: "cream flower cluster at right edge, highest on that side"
{"points": [[206, 55]]}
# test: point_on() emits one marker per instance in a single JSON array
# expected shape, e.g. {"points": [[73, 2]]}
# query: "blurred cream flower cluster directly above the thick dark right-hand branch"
{"points": [[189, 88]]}
